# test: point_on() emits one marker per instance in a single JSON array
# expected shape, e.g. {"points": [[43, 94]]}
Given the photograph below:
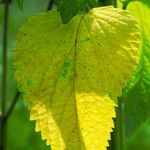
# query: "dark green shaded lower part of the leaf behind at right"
{"points": [[136, 109]]}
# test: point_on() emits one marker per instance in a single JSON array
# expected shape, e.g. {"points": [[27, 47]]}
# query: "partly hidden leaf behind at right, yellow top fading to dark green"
{"points": [[137, 93]]}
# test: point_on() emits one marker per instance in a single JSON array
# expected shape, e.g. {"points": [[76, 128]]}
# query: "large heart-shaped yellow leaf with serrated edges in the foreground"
{"points": [[72, 73]]}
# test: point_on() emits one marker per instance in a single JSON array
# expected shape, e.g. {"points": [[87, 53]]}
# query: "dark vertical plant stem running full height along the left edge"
{"points": [[3, 127]]}
